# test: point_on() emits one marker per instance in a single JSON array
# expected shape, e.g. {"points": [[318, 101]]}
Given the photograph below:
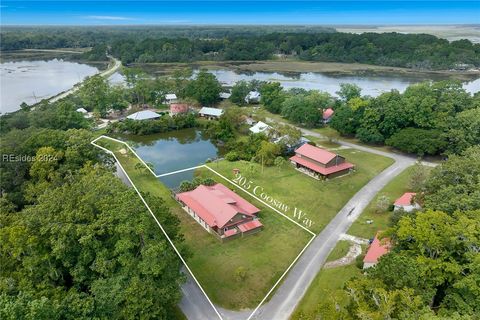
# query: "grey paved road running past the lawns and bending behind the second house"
{"points": [[298, 280]]}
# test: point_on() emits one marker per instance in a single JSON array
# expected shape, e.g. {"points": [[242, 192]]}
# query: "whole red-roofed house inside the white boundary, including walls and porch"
{"points": [[220, 211]]}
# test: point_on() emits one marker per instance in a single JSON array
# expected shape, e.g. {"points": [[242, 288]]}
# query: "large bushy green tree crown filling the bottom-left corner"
{"points": [[94, 252]]}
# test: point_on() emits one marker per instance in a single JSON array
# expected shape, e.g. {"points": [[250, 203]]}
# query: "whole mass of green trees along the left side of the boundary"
{"points": [[75, 242]]}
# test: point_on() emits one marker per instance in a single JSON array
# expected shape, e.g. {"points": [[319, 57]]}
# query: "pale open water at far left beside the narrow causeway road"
{"points": [[32, 81]]}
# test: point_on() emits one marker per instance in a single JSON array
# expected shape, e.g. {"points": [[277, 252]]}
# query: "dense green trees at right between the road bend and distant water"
{"points": [[428, 118]]}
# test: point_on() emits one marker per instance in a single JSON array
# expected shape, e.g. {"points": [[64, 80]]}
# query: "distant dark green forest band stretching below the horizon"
{"points": [[137, 45]]}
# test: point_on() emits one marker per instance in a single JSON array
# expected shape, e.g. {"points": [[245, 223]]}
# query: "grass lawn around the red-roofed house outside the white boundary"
{"points": [[319, 200]]}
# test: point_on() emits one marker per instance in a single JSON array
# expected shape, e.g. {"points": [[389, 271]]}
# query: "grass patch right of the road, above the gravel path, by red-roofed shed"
{"points": [[392, 190]]}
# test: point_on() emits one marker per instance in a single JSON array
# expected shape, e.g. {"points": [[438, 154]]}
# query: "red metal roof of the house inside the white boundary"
{"points": [[217, 204]]}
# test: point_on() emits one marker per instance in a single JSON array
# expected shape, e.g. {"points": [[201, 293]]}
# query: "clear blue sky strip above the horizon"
{"points": [[342, 12]]}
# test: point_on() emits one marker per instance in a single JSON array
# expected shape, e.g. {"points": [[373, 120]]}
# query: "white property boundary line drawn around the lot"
{"points": [[171, 242]]}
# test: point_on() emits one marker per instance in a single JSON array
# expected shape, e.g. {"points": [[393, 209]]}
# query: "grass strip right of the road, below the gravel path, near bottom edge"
{"points": [[327, 284]]}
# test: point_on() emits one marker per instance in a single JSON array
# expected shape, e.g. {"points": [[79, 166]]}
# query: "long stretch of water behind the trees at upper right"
{"points": [[371, 84]]}
